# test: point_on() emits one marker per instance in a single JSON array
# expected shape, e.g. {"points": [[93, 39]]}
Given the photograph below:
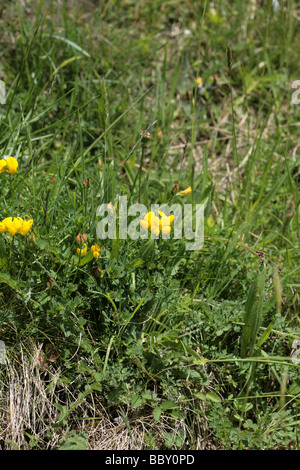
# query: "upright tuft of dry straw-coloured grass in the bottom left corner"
{"points": [[26, 400]]}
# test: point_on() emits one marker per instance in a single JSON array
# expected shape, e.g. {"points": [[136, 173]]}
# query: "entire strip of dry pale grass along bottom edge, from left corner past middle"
{"points": [[30, 388]]}
